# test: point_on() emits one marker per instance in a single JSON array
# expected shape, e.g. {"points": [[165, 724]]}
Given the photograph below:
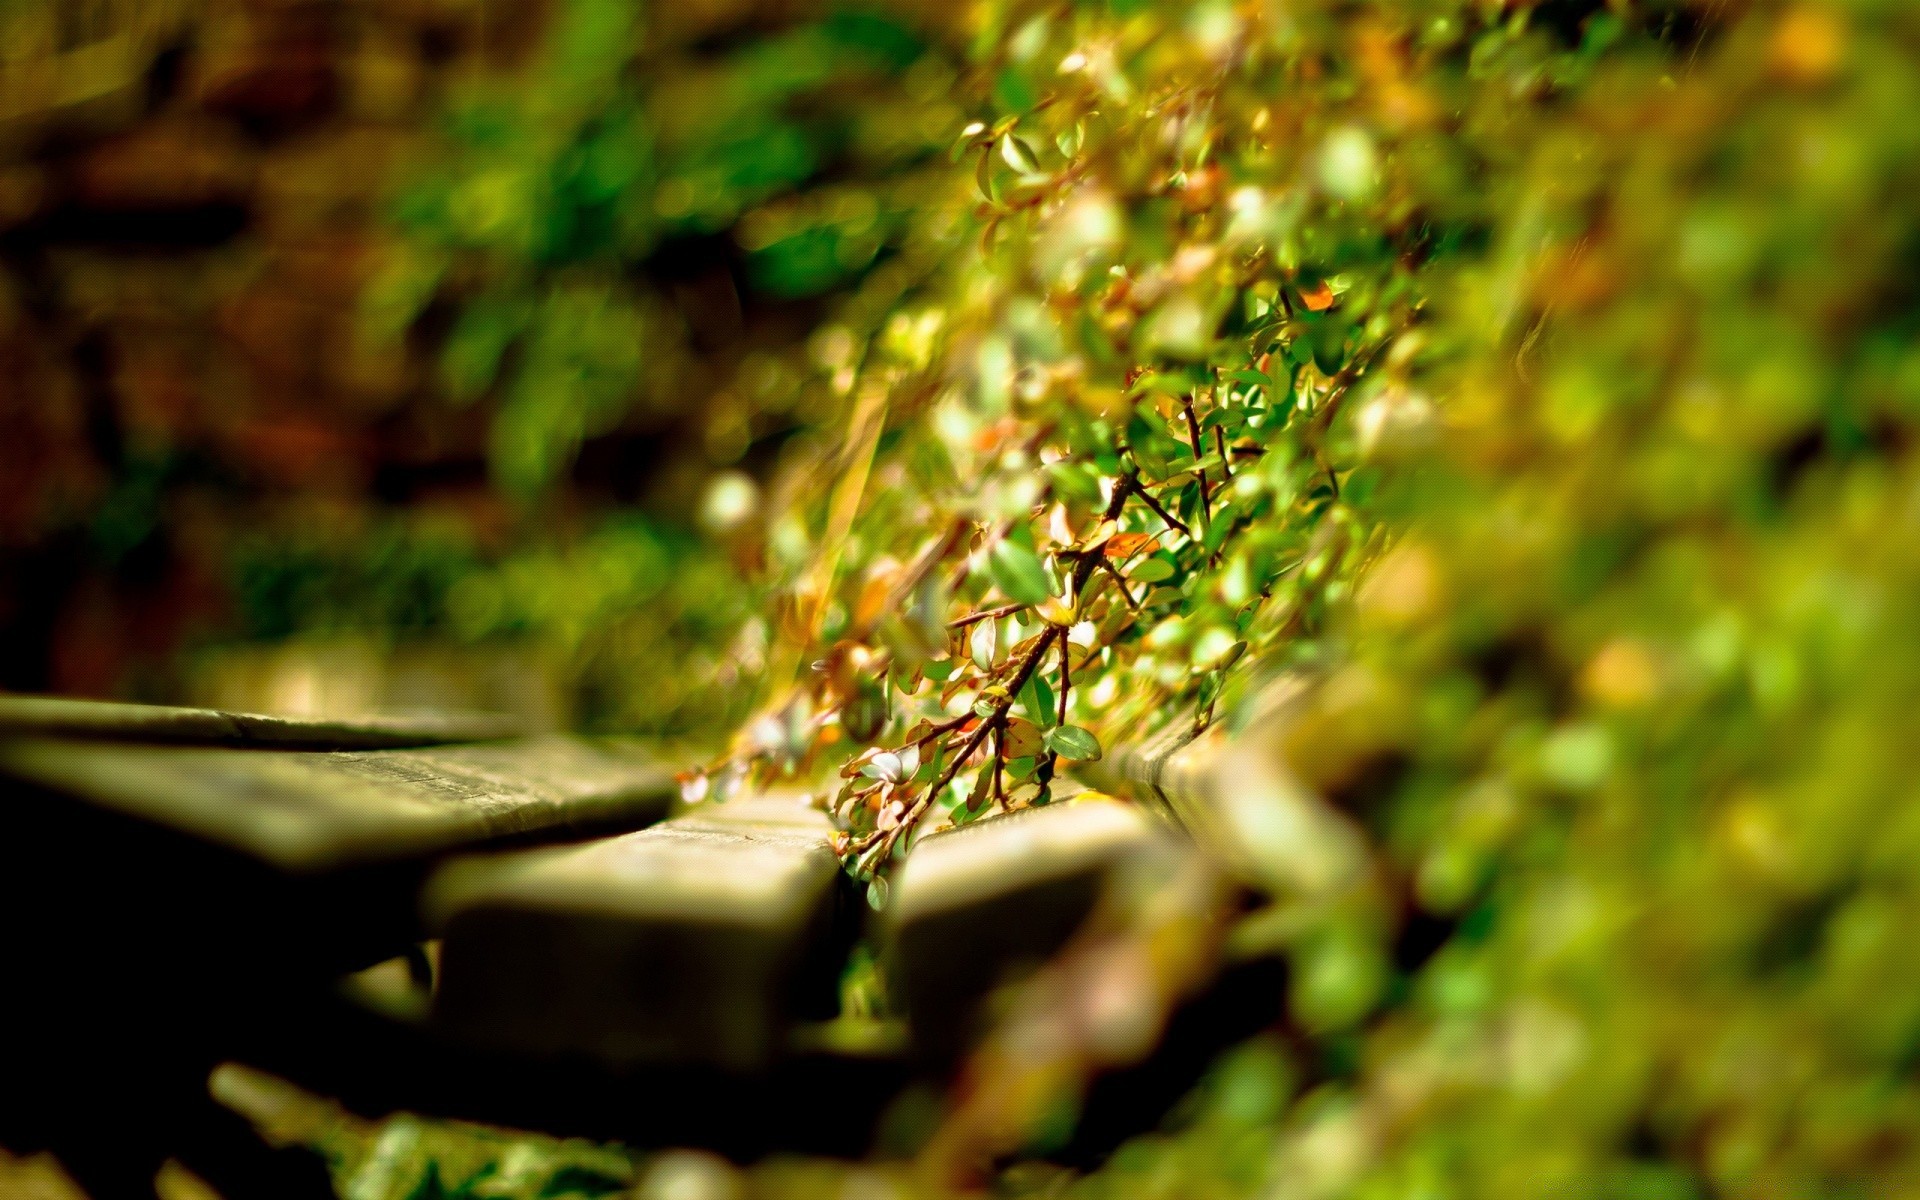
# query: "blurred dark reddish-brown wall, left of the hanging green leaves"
{"points": [[191, 197]]}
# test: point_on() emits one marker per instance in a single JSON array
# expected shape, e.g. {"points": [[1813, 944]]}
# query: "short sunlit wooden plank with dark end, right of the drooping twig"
{"points": [[986, 903]]}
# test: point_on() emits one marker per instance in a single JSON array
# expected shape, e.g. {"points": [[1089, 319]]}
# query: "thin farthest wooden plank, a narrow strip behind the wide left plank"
{"points": [[108, 721]]}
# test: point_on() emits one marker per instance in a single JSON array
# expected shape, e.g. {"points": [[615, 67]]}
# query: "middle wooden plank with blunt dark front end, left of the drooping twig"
{"points": [[700, 940]]}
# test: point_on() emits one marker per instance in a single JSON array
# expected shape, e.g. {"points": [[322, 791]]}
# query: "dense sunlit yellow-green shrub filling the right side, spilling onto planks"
{"points": [[1564, 364]]}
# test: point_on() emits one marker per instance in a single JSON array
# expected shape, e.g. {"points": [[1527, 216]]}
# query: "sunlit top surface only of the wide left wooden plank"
{"points": [[310, 813]]}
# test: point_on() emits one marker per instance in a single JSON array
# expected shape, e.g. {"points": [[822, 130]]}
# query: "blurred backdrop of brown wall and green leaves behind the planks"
{"points": [[396, 329]]}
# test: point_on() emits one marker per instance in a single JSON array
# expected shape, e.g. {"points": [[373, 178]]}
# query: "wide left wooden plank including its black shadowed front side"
{"points": [[289, 863]]}
